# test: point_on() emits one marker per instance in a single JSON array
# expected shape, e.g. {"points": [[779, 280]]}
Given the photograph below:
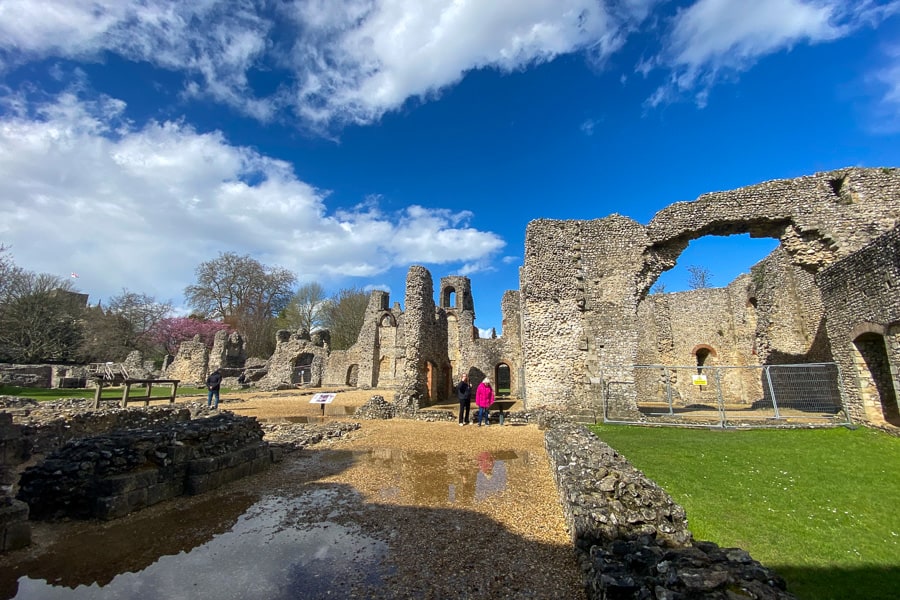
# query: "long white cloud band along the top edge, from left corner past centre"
{"points": [[341, 60]]}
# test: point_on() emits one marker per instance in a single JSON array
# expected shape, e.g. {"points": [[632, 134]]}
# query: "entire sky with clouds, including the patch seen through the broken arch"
{"points": [[346, 140]]}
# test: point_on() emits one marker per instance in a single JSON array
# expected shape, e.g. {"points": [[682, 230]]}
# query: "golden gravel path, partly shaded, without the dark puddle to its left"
{"points": [[467, 512]]}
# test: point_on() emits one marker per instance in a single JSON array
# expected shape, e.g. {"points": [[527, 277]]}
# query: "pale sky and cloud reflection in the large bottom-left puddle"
{"points": [[274, 550]]}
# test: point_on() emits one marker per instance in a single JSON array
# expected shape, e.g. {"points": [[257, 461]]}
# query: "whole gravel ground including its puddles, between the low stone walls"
{"points": [[394, 509]]}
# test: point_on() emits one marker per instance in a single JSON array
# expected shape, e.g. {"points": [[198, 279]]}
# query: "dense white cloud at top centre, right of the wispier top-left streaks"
{"points": [[369, 60]]}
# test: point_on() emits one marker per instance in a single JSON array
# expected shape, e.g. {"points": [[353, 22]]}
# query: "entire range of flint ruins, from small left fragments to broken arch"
{"points": [[583, 315]]}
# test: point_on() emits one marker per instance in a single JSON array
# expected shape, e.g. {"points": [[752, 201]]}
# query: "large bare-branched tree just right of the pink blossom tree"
{"points": [[244, 293]]}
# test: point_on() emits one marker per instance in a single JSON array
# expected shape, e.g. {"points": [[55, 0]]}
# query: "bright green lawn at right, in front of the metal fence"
{"points": [[818, 506]]}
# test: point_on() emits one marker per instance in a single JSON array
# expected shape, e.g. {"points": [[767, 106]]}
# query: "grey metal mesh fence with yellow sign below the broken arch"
{"points": [[723, 396]]}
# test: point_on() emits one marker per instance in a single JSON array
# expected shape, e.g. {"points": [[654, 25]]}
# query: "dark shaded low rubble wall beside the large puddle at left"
{"points": [[111, 475]]}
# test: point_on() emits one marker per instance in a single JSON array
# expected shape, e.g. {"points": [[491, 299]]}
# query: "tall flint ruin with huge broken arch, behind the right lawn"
{"points": [[587, 317]]}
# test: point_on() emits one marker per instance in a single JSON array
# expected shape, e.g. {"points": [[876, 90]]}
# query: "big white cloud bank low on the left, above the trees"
{"points": [[142, 207]]}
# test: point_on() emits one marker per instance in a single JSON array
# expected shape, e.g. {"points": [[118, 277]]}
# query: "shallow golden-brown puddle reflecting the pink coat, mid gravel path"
{"points": [[436, 478]]}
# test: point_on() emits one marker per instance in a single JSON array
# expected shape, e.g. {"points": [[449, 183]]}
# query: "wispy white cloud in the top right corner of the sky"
{"points": [[713, 39]]}
